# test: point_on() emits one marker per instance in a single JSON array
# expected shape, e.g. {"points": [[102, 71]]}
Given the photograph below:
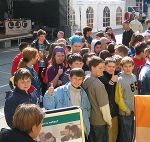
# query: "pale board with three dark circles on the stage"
{"points": [[13, 27]]}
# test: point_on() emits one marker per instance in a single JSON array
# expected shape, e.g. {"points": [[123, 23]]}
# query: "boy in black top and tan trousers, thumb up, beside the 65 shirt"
{"points": [[109, 80]]}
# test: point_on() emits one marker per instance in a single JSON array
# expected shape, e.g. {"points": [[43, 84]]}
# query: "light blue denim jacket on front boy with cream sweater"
{"points": [[61, 98]]}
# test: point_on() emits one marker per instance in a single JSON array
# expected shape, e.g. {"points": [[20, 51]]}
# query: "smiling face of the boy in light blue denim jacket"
{"points": [[76, 81]]}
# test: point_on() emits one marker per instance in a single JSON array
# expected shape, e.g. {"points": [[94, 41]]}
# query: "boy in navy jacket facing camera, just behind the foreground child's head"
{"points": [[20, 95]]}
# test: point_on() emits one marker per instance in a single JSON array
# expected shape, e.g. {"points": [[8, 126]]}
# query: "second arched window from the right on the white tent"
{"points": [[106, 17]]}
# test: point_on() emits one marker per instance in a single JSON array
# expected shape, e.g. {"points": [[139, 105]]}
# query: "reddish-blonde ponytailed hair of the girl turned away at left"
{"points": [[27, 55]]}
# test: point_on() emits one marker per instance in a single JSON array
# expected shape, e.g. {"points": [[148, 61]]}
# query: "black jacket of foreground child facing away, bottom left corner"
{"points": [[14, 135]]}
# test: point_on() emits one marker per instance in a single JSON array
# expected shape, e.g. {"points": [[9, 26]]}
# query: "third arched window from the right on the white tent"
{"points": [[90, 16]]}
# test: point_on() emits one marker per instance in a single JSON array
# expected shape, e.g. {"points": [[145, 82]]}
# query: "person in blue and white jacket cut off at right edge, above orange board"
{"points": [[144, 76]]}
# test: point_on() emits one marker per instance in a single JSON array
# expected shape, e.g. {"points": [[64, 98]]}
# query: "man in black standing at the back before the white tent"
{"points": [[127, 34]]}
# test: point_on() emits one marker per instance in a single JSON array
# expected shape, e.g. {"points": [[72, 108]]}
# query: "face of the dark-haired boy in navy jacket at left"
{"points": [[24, 84]]}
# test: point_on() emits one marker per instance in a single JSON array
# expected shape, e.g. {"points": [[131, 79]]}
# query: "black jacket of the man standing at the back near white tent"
{"points": [[126, 38]]}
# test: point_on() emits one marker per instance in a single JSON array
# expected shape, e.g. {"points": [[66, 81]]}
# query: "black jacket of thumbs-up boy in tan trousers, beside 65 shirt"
{"points": [[110, 88]]}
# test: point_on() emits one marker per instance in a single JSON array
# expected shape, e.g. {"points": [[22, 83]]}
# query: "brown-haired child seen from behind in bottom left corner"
{"points": [[27, 123]]}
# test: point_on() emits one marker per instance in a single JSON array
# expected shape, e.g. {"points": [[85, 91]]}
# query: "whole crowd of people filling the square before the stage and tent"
{"points": [[97, 74]]}
